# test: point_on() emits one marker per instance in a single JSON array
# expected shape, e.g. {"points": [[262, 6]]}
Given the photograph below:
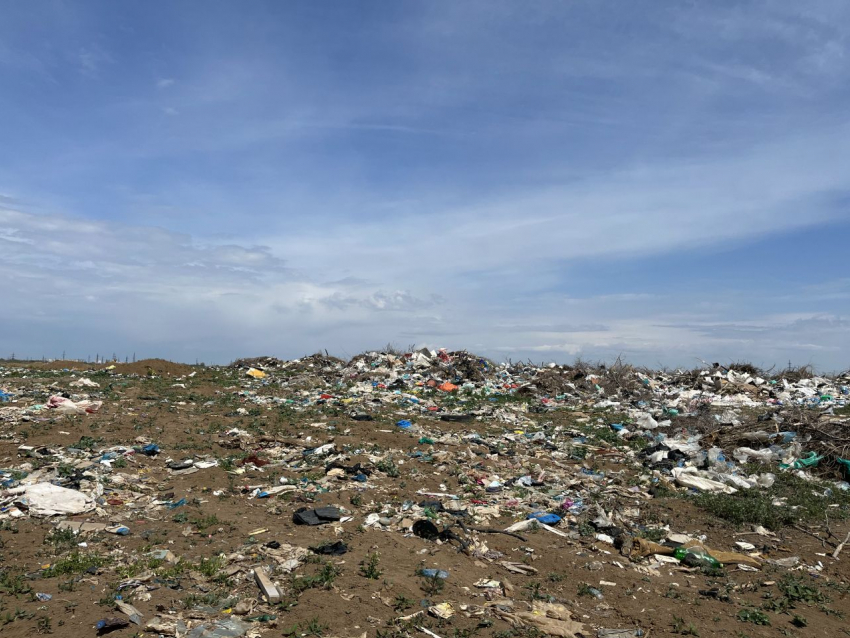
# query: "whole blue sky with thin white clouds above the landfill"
{"points": [[664, 182]]}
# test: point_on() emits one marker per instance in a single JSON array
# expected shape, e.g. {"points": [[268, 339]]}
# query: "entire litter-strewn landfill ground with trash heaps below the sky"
{"points": [[424, 493]]}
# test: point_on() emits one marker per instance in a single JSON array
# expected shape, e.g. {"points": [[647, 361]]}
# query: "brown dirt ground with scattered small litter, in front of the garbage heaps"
{"points": [[221, 531]]}
